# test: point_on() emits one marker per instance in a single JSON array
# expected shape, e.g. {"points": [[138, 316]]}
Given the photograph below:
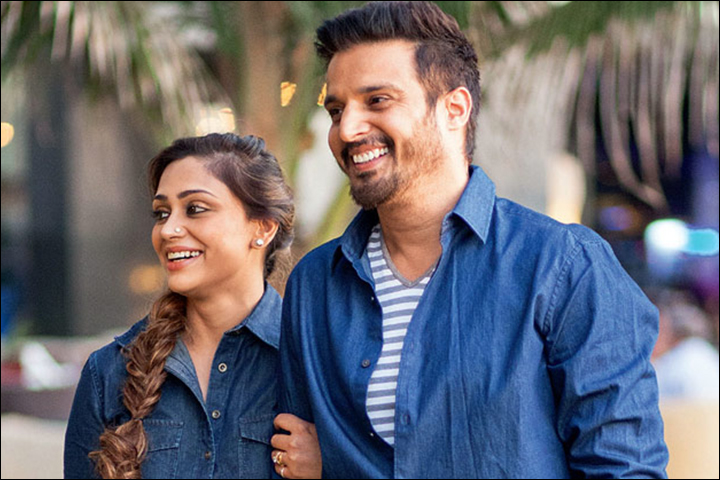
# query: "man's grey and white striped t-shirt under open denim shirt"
{"points": [[398, 298]]}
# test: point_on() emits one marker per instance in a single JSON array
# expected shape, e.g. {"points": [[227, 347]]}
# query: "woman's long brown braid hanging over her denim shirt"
{"points": [[123, 448]]}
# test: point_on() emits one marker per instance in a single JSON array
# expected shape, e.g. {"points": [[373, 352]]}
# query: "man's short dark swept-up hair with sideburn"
{"points": [[444, 57]]}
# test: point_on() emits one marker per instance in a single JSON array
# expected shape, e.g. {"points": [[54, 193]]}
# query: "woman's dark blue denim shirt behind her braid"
{"points": [[227, 436]]}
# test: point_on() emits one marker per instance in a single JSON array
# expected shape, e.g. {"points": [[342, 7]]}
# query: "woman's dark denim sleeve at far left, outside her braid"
{"points": [[84, 425]]}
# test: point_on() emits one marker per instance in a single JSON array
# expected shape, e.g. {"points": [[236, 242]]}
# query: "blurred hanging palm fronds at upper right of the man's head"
{"points": [[609, 74]]}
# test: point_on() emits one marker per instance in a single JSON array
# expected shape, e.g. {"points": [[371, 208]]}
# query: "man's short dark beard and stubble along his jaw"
{"points": [[422, 154]]}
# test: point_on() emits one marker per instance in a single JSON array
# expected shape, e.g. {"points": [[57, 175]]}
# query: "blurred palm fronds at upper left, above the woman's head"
{"points": [[131, 48]]}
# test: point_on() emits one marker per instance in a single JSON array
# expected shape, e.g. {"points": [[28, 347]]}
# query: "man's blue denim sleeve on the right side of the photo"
{"points": [[600, 330]]}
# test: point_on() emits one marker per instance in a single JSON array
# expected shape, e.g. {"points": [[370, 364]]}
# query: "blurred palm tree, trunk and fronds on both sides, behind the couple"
{"points": [[629, 65]]}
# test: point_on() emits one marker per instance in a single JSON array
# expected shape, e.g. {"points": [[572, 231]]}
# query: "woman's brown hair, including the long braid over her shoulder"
{"points": [[255, 177]]}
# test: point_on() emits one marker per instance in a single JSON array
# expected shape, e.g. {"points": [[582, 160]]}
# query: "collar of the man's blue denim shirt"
{"points": [[474, 208]]}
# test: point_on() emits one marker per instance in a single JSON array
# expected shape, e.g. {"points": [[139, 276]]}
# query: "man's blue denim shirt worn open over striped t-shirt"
{"points": [[527, 356]]}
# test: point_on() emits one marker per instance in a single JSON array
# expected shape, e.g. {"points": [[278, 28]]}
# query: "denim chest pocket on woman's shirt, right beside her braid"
{"points": [[164, 438]]}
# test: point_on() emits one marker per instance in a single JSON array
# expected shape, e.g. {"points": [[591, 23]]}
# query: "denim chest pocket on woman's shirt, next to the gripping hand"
{"points": [[254, 447]]}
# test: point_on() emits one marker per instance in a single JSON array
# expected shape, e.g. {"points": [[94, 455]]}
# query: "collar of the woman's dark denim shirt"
{"points": [[263, 321]]}
